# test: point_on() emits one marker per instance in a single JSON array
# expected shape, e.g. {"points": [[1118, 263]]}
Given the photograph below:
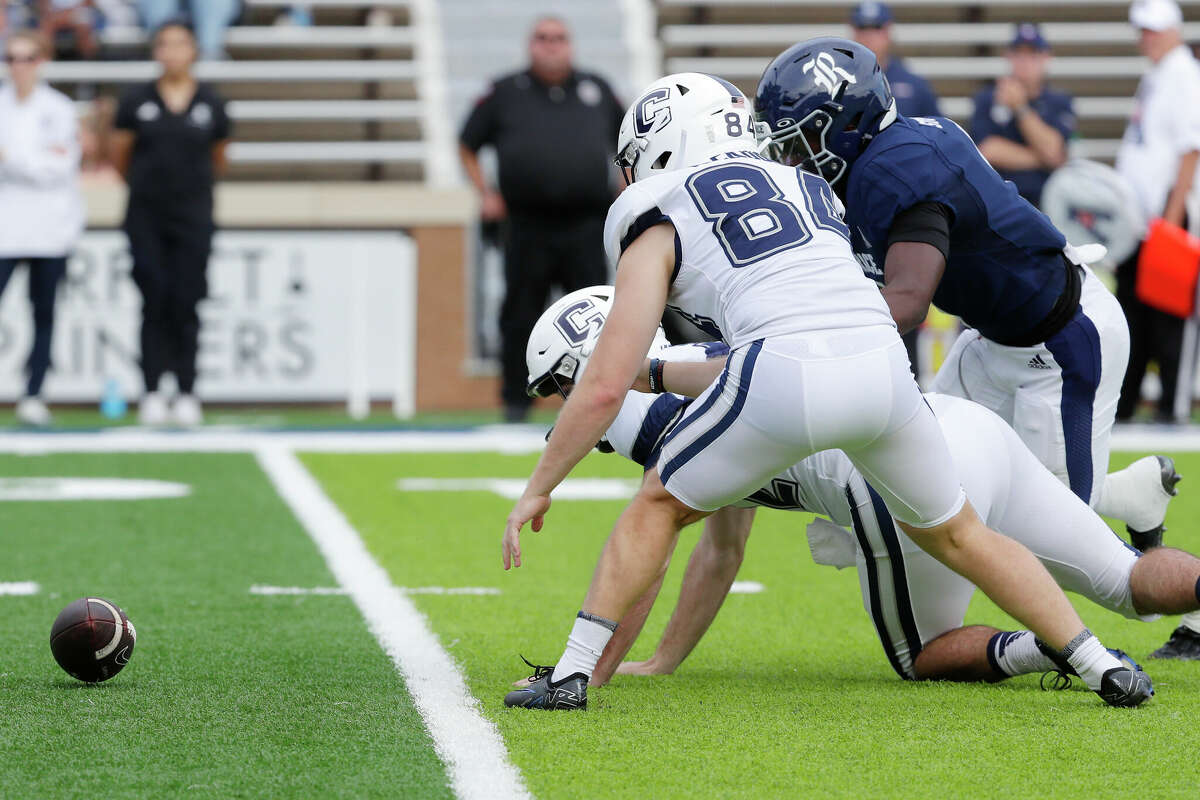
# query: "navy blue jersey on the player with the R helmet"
{"points": [[1006, 266]]}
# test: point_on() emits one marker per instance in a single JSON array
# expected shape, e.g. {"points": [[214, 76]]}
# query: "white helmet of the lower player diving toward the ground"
{"points": [[565, 336]]}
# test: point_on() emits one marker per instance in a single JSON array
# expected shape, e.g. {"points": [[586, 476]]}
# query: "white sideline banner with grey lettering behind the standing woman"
{"points": [[291, 316]]}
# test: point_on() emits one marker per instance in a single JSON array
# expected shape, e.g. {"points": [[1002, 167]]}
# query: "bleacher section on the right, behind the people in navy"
{"points": [[956, 45]]}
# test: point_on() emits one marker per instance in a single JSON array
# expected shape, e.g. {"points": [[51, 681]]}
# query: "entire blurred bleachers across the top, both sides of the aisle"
{"points": [[346, 100]]}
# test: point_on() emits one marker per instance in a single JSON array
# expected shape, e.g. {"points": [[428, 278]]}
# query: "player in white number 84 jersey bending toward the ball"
{"points": [[757, 251]]}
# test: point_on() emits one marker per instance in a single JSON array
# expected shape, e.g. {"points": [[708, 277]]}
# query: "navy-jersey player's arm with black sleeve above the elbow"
{"points": [[919, 245]]}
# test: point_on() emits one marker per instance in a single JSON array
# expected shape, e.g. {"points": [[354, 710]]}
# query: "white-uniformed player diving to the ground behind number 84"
{"points": [[916, 604]]}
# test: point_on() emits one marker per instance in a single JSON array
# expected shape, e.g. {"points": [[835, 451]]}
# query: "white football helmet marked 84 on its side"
{"points": [[680, 122]]}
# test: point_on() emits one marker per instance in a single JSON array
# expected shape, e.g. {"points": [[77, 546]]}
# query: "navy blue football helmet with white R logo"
{"points": [[821, 103]]}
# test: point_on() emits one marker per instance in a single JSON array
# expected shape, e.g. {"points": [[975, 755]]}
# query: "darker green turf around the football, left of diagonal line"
{"points": [[227, 695]]}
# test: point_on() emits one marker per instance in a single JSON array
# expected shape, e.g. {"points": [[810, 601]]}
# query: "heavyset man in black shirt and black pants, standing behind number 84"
{"points": [[555, 130]]}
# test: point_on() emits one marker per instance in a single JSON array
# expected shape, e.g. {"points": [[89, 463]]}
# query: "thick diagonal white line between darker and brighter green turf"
{"points": [[470, 747]]}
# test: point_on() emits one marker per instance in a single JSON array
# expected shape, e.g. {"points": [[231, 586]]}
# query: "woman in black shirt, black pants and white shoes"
{"points": [[170, 145]]}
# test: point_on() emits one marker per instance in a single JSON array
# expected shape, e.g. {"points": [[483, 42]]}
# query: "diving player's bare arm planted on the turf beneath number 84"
{"points": [[712, 568]]}
